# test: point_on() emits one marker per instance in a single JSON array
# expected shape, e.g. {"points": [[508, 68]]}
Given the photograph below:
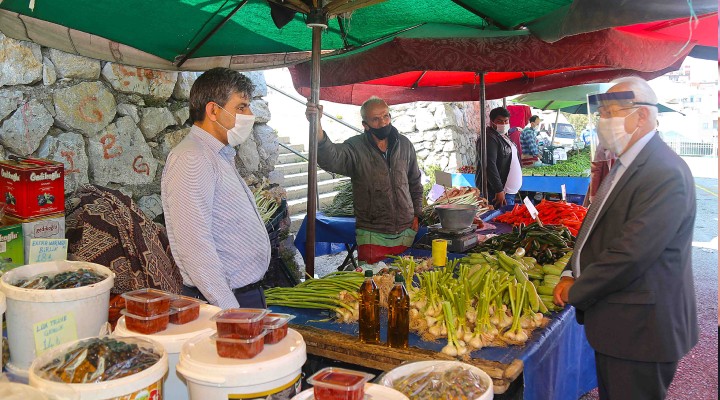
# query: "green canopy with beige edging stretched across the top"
{"points": [[155, 33]]}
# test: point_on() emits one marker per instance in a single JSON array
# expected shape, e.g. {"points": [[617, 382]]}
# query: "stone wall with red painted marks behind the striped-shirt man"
{"points": [[110, 124]]}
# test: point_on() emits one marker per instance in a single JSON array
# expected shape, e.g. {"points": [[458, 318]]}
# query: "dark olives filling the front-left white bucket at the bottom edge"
{"points": [[100, 359]]}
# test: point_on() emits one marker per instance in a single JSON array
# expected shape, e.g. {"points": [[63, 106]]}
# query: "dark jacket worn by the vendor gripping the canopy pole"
{"points": [[387, 194]]}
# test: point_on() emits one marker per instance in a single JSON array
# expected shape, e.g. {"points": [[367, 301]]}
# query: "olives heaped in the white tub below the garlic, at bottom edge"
{"points": [[447, 381]]}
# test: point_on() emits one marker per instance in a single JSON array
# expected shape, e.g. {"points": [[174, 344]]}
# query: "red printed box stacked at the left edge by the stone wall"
{"points": [[32, 187]]}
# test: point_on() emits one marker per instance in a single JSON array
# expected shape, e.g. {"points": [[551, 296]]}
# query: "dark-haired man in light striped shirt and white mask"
{"points": [[217, 236]]}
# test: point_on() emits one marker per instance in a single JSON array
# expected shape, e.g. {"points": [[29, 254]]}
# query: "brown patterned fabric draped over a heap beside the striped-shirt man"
{"points": [[106, 227]]}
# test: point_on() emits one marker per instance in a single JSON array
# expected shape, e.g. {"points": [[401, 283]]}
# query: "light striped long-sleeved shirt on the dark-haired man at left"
{"points": [[216, 233]]}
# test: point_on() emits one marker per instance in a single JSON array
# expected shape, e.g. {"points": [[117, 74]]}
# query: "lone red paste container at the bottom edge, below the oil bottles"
{"points": [[339, 384]]}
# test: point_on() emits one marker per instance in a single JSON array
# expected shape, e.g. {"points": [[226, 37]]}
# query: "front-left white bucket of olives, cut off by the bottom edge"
{"points": [[146, 384]]}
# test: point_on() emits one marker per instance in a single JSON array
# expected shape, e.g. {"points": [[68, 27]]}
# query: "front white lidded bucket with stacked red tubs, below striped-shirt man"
{"points": [[276, 370]]}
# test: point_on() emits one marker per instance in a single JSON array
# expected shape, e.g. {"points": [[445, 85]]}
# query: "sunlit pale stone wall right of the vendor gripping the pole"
{"points": [[444, 134]]}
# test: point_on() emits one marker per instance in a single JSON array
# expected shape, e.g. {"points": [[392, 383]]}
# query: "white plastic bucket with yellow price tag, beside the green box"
{"points": [[28, 309]]}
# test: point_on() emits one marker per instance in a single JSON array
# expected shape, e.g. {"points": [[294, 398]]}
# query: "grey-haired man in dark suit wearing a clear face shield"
{"points": [[630, 277]]}
